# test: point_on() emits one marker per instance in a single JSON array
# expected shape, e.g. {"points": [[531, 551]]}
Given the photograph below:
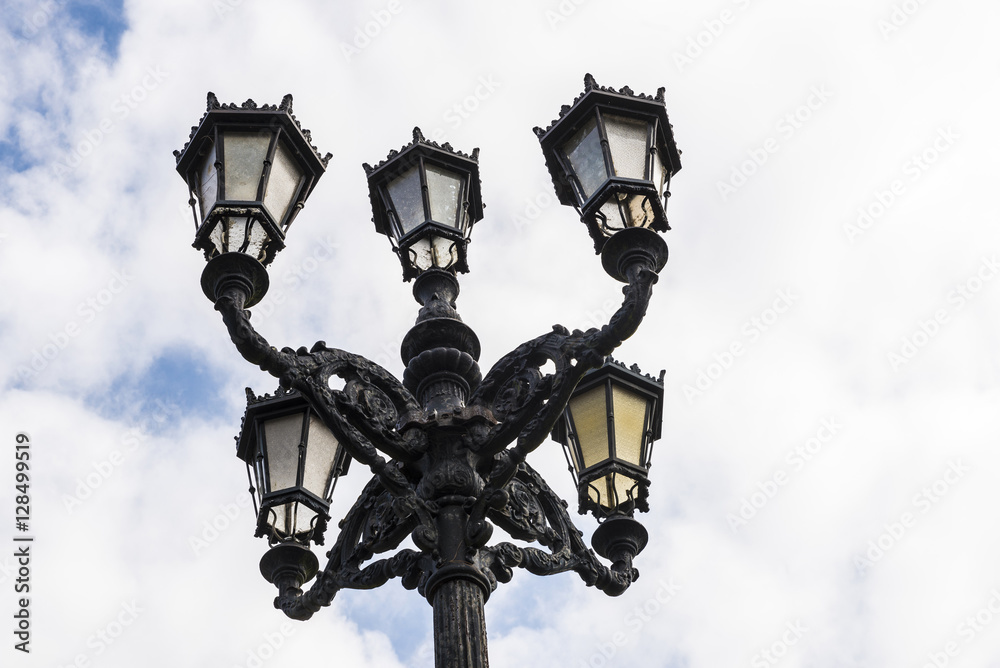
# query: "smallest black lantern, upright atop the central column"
{"points": [[426, 197]]}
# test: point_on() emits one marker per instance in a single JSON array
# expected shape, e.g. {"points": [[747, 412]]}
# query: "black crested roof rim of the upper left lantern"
{"points": [[247, 113]]}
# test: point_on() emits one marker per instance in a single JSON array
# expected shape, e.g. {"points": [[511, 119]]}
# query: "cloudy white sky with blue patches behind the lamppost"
{"points": [[825, 491]]}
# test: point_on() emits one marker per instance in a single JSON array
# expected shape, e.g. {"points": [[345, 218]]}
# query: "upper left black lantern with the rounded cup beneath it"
{"points": [[249, 169]]}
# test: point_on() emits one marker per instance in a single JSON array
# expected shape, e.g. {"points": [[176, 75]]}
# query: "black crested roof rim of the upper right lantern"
{"points": [[571, 116]]}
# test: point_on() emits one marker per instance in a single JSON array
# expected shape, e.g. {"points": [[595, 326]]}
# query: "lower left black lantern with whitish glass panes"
{"points": [[295, 462]]}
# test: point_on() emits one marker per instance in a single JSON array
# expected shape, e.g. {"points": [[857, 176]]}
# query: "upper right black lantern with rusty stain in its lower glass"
{"points": [[611, 155]]}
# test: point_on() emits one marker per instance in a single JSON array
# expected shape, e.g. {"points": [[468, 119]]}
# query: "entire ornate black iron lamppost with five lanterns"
{"points": [[446, 446]]}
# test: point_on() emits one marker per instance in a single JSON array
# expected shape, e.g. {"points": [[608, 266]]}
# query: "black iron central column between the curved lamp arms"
{"points": [[441, 353]]}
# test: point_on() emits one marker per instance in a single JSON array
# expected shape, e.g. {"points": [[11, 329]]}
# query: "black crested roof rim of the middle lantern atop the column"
{"points": [[397, 161]]}
